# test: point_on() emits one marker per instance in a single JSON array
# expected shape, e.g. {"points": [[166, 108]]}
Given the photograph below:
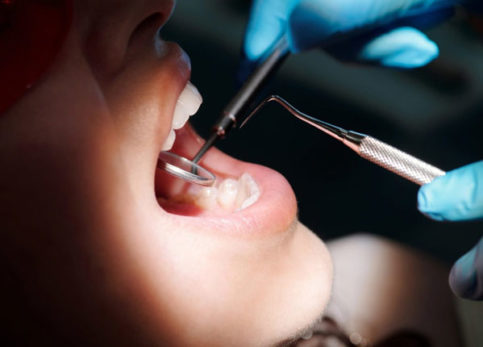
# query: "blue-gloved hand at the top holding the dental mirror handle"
{"points": [[310, 23]]}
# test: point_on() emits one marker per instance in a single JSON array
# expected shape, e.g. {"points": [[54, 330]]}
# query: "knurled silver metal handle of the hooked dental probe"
{"points": [[398, 162]]}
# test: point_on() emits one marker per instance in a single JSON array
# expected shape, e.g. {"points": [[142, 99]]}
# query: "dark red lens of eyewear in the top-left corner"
{"points": [[31, 37]]}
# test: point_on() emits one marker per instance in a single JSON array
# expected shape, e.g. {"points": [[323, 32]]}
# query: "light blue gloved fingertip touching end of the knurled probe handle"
{"points": [[458, 195]]}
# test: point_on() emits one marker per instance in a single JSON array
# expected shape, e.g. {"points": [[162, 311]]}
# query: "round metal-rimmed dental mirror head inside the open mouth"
{"points": [[185, 169]]}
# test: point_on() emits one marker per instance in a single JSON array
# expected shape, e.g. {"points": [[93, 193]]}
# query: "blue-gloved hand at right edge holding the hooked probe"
{"points": [[458, 196]]}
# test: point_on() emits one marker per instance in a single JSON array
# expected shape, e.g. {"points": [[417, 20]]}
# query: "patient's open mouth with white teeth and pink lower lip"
{"points": [[242, 190]]}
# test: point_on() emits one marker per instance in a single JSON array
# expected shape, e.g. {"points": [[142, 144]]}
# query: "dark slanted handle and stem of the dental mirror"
{"points": [[245, 95]]}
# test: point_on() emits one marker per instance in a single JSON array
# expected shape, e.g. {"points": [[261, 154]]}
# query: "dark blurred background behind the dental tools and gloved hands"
{"points": [[434, 113]]}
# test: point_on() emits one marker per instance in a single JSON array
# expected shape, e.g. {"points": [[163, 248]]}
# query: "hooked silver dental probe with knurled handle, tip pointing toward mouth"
{"points": [[367, 147]]}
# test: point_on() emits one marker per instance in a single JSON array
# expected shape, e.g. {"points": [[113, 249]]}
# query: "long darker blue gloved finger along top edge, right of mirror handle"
{"points": [[318, 23]]}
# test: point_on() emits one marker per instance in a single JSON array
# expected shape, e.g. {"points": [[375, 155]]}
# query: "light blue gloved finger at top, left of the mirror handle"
{"points": [[267, 23]]}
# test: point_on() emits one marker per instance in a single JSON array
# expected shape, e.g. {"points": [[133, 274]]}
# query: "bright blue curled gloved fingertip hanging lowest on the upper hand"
{"points": [[401, 48]]}
